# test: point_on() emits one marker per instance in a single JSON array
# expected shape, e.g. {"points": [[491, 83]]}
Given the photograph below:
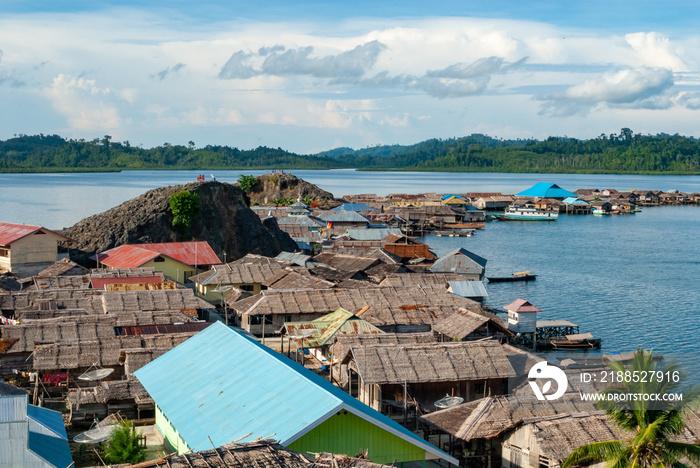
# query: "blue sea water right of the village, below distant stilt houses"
{"points": [[630, 280]]}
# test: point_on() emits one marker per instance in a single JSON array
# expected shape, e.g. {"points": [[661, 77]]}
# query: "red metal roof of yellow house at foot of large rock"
{"points": [[134, 255]]}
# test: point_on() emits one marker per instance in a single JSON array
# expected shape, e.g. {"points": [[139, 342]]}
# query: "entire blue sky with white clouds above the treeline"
{"points": [[309, 76]]}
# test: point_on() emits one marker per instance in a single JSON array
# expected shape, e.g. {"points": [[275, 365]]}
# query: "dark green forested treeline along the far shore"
{"points": [[625, 152]]}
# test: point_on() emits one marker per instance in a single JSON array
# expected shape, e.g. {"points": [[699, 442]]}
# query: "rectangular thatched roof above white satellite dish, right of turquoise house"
{"points": [[436, 362]]}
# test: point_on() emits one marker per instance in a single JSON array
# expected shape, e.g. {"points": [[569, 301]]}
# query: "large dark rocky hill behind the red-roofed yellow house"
{"points": [[225, 221]]}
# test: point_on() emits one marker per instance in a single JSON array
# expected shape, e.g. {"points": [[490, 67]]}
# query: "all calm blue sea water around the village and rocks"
{"points": [[631, 280]]}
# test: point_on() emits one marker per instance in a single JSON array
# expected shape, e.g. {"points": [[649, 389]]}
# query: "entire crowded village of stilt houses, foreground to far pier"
{"points": [[358, 348]]}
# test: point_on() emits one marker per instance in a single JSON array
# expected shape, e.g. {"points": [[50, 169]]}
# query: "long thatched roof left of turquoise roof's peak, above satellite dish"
{"points": [[67, 355]]}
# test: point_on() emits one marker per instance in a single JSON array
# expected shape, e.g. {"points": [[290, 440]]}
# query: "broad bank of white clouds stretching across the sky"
{"points": [[379, 79]]}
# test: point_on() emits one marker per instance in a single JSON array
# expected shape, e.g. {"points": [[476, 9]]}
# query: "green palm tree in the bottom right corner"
{"points": [[653, 424]]}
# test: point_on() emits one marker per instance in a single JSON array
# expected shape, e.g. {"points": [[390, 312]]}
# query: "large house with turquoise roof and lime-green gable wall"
{"points": [[220, 386]]}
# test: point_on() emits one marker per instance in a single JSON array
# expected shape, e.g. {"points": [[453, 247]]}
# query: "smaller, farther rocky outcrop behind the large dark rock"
{"points": [[280, 185]]}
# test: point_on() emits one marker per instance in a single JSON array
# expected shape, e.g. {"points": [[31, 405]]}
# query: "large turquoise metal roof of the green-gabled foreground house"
{"points": [[223, 385]]}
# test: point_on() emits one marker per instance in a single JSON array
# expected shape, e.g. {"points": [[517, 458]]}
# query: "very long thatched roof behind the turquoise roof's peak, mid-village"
{"points": [[387, 306]]}
